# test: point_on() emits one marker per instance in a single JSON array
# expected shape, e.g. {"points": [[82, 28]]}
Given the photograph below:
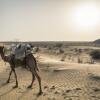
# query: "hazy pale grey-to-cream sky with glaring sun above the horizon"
{"points": [[49, 20]]}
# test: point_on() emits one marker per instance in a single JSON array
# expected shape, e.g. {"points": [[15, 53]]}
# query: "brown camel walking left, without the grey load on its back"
{"points": [[29, 60]]}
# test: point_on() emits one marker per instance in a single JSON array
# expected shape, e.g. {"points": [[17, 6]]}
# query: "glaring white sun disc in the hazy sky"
{"points": [[86, 16]]}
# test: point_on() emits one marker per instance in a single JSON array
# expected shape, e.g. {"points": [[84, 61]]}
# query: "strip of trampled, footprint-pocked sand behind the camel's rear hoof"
{"points": [[58, 93]]}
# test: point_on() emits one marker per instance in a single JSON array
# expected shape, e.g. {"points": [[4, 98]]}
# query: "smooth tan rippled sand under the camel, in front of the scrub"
{"points": [[60, 81]]}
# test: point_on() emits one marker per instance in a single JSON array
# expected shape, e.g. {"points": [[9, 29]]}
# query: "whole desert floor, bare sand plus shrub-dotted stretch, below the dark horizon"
{"points": [[68, 72]]}
